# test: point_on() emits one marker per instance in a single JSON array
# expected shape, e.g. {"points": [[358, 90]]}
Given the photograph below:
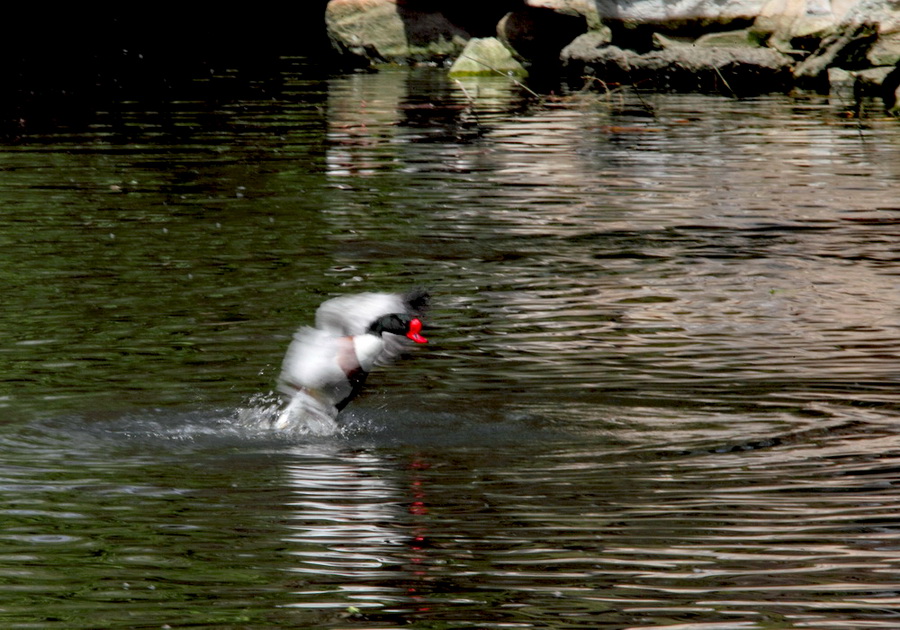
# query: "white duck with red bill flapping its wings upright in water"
{"points": [[325, 367]]}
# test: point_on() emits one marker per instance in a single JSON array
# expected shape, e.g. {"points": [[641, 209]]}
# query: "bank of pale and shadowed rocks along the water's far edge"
{"points": [[739, 48]]}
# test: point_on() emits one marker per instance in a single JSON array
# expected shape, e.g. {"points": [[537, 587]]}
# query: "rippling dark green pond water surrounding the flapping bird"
{"points": [[661, 389]]}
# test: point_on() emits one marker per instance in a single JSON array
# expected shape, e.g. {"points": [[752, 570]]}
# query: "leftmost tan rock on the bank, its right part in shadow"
{"points": [[383, 30]]}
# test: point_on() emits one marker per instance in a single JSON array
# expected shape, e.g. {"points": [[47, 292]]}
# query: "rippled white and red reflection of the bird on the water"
{"points": [[355, 532]]}
